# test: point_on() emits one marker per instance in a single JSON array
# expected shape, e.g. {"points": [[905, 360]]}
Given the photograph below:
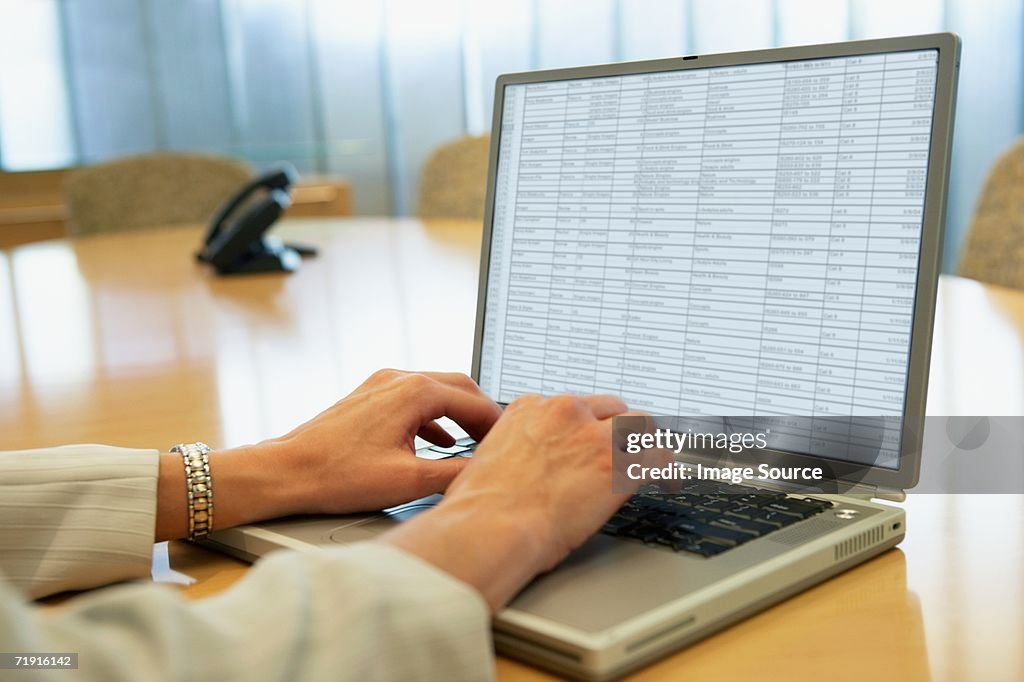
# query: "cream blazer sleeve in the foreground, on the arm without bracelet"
{"points": [[364, 613]]}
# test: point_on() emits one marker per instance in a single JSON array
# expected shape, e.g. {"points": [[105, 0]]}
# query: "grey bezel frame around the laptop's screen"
{"points": [[949, 47]]}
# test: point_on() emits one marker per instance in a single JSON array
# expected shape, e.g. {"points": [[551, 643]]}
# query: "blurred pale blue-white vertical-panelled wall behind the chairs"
{"points": [[367, 89]]}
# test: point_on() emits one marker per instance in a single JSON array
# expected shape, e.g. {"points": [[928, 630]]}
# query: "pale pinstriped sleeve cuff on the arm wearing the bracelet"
{"points": [[77, 517]]}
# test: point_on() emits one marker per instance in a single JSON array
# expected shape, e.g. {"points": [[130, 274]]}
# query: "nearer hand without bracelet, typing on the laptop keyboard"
{"points": [[538, 487]]}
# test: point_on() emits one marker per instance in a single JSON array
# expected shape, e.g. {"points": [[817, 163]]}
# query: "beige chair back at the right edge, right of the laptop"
{"points": [[995, 249]]}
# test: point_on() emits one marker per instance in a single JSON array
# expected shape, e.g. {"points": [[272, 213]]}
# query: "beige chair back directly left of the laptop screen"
{"points": [[455, 180]]}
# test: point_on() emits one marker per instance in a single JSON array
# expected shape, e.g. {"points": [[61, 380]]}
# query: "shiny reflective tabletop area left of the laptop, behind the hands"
{"points": [[108, 338]]}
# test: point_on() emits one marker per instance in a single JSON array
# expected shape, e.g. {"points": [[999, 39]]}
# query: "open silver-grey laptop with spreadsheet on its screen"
{"points": [[726, 236]]}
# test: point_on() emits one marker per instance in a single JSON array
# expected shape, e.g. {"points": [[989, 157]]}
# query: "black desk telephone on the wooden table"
{"points": [[236, 242]]}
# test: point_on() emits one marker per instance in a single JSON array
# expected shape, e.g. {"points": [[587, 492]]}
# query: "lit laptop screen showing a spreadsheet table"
{"points": [[716, 241]]}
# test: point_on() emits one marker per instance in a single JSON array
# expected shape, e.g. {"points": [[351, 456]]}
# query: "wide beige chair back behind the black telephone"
{"points": [[149, 191]]}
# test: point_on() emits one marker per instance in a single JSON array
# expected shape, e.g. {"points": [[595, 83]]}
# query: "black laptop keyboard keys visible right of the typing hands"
{"points": [[708, 518]]}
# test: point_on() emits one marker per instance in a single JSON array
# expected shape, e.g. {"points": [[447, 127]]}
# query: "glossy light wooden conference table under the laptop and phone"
{"points": [[123, 339]]}
